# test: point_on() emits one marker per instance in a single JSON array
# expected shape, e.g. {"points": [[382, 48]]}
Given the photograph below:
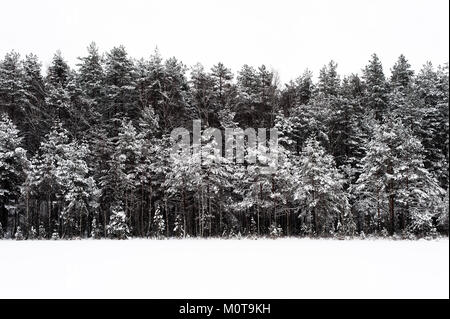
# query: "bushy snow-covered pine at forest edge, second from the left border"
{"points": [[60, 177]]}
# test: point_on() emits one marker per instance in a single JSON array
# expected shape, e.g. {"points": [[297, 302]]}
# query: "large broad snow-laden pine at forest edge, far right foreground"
{"points": [[395, 189]]}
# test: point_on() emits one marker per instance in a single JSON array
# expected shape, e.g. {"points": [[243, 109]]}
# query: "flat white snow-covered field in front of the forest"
{"points": [[290, 268]]}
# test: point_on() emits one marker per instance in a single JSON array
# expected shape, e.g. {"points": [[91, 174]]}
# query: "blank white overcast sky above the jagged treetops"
{"points": [[288, 36]]}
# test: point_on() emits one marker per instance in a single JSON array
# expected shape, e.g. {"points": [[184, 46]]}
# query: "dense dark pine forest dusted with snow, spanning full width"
{"points": [[85, 151]]}
